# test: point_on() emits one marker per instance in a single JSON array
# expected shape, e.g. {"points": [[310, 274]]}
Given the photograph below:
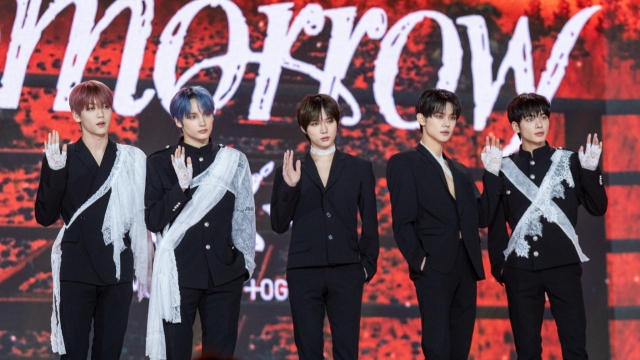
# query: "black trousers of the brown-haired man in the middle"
{"points": [[336, 290]]}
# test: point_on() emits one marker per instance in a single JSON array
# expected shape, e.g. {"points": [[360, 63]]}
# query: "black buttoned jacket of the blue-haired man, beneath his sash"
{"points": [[207, 247]]}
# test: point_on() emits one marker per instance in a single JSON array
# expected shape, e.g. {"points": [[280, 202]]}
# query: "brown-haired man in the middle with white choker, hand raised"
{"points": [[327, 264]]}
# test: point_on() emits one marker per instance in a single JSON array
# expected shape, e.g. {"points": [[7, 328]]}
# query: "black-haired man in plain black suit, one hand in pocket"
{"points": [[436, 211]]}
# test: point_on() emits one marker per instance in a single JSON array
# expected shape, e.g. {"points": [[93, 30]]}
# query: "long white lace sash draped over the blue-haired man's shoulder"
{"points": [[229, 172]]}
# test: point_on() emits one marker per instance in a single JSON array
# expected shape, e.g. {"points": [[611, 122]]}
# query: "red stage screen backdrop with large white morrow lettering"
{"points": [[259, 58]]}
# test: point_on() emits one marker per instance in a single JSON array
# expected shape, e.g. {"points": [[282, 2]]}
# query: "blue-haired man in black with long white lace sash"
{"points": [[202, 210]]}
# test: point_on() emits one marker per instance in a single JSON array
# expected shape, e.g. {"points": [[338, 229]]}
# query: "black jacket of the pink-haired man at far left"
{"points": [[85, 257]]}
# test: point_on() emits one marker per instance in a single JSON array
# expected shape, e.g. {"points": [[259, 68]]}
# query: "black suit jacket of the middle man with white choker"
{"points": [[325, 219]]}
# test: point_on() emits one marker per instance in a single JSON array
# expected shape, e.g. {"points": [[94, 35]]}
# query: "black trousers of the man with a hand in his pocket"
{"points": [[447, 305]]}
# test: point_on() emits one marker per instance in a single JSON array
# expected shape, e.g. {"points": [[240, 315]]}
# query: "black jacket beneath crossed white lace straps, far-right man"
{"points": [[553, 248]]}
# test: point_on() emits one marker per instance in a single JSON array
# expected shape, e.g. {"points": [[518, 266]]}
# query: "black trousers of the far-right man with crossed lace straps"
{"points": [[526, 296]]}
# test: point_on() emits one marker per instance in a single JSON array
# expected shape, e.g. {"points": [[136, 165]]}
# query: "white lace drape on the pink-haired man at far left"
{"points": [[126, 205]]}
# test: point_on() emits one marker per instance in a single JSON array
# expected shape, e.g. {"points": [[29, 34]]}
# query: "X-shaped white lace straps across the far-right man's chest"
{"points": [[542, 203]]}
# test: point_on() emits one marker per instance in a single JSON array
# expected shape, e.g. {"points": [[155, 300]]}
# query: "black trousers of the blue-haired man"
{"points": [[219, 308]]}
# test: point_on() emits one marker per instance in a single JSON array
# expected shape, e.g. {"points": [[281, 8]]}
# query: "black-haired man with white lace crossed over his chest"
{"points": [[542, 190]]}
